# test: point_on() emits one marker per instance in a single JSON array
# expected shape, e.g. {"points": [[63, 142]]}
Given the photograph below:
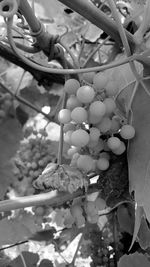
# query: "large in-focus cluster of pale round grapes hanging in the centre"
{"points": [[92, 127]]}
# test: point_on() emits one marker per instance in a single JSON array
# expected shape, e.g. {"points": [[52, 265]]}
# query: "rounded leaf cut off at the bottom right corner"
{"points": [[133, 260]]}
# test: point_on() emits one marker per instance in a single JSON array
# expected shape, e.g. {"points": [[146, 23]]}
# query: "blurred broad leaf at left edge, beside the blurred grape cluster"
{"points": [[10, 135]]}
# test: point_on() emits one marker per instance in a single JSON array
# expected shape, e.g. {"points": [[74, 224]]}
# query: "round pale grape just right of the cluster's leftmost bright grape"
{"points": [[79, 115]]}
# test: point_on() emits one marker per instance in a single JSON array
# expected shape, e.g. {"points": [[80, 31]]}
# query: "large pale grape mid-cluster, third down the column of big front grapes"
{"points": [[80, 138]]}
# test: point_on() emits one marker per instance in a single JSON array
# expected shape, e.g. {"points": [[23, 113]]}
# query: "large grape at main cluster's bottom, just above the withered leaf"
{"points": [[85, 163]]}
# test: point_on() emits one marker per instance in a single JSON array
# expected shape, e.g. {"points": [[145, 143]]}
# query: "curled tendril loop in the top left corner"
{"points": [[8, 8]]}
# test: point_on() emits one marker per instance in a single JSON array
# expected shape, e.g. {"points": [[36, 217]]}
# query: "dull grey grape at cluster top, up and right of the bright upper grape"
{"points": [[100, 80]]}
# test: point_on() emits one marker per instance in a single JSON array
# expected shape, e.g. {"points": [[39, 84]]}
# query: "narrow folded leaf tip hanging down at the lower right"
{"points": [[139, 213]]}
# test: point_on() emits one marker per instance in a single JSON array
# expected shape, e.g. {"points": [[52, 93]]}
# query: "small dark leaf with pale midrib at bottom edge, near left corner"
{"points": [[30, 259]]}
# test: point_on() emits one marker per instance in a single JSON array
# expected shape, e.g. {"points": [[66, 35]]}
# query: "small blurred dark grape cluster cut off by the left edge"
{"points": [[6, 104]]}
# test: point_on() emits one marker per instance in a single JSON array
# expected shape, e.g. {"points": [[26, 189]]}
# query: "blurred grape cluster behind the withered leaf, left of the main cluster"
{"points": [[34, 153]]}
